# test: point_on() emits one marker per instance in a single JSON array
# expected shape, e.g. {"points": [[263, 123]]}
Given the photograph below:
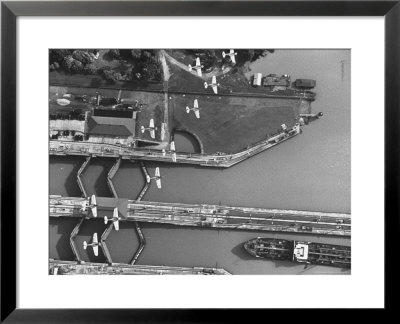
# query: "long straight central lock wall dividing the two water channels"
{"points": [[215, 216]]}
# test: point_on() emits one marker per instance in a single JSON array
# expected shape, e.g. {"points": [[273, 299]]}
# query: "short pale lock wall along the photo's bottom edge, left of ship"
{"points": [[58, 267]]}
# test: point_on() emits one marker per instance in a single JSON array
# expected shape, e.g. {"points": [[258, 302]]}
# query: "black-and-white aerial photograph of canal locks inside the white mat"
{"points": [[199, 161]]}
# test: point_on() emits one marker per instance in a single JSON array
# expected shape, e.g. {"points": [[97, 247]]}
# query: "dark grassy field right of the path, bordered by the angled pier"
{"points": [[229, 124]]}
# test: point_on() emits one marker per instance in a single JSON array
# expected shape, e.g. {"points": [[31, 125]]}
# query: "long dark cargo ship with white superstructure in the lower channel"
{"points": [[303, 252]]}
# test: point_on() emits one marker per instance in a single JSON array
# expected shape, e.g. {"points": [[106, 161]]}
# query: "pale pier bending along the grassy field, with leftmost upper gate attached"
{"points": [[222, 160]]}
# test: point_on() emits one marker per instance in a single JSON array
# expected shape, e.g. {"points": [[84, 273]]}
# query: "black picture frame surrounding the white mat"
{"points": [[11, 10]]}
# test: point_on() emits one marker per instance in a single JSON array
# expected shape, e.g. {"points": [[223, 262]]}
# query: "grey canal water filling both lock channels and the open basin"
{"points": [[309, 172]]}
